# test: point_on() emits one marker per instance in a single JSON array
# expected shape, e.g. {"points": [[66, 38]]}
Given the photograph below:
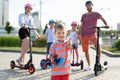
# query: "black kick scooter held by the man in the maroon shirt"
{"points": [[98, 67]]}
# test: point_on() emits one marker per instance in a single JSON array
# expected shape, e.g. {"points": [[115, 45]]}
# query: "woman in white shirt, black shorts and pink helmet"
{"points": [[25, 21]]}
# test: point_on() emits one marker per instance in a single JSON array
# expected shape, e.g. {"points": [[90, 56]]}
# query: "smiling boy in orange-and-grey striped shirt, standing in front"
{"points": [[61, 48]]}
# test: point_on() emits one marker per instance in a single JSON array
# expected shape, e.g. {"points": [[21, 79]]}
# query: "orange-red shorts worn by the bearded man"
{"points": [[85, 42]]}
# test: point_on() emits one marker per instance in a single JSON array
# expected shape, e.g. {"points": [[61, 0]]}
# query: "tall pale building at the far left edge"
{"points": [[4, 12]]}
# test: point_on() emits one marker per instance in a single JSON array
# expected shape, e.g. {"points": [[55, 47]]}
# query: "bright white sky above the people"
{"points": [[66, 10]]}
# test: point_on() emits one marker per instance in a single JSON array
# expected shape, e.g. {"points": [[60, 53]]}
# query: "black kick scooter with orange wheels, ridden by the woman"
{"points": [[29, 65]]}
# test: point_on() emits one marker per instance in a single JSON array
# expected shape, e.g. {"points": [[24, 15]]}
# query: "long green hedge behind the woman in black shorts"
{"points": [[14, 41]]}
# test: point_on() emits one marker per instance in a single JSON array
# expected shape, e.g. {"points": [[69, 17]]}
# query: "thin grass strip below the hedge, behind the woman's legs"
{"points": [[39, 49]]}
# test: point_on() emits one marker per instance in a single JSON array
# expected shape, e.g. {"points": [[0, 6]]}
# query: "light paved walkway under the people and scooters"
{"points": [[112, 73]]}
